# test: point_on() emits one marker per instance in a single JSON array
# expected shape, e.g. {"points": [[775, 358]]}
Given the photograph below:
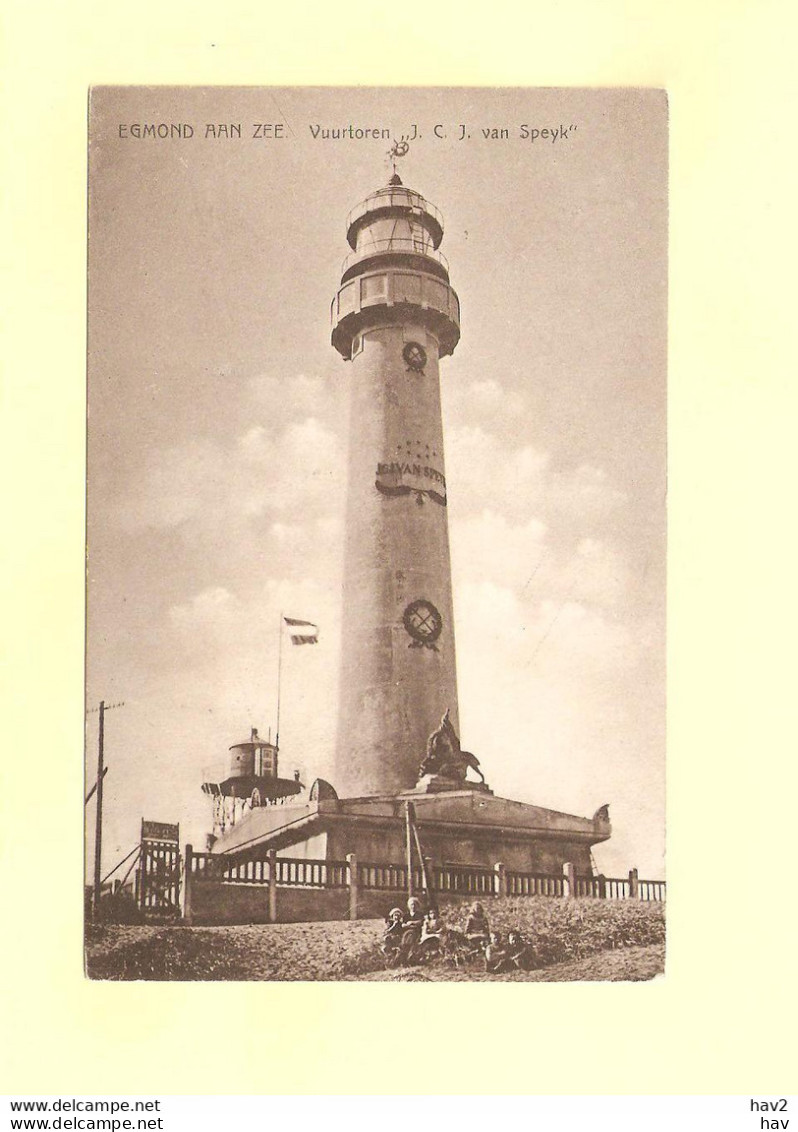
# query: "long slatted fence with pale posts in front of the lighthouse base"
{"points": [[364, 881]]}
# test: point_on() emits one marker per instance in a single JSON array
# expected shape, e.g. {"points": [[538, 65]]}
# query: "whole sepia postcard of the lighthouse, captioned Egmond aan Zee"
{"points": [[376, 535]]}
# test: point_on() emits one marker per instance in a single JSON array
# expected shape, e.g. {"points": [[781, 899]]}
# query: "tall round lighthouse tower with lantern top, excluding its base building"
{"points": [[394, 318]]}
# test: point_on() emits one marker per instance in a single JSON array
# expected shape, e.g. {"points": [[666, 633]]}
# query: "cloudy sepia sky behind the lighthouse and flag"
{"points": [[218, 432]]}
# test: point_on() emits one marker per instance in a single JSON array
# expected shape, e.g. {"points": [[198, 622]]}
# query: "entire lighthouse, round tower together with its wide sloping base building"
{"points": [[394, 318]]}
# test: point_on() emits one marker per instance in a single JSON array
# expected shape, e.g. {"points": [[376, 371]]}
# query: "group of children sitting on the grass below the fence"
{"points": [[416, 937]]}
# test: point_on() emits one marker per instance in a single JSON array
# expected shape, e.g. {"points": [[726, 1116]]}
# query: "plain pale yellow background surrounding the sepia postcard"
{"points": [[722, 1020]]}
